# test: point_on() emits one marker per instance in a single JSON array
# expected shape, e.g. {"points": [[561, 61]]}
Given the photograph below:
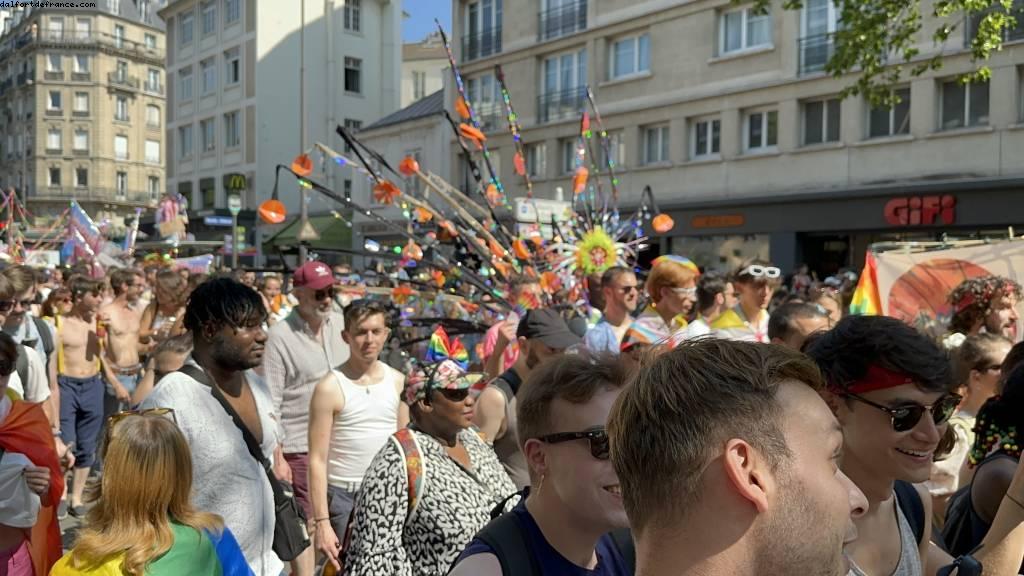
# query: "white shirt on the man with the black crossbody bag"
{"points": [[227, 480]]}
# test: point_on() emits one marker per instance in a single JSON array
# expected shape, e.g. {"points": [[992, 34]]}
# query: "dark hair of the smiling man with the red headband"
{"points": [[845, 353]]}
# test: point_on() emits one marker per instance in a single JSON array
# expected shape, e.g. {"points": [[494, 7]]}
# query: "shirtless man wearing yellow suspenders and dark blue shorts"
{"points": [[80, 381]]}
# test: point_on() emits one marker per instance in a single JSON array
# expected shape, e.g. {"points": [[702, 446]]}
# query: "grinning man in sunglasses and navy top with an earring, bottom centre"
{"points": [[562, 526]]}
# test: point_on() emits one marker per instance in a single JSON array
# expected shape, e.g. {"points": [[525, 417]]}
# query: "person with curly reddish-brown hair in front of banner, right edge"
{"points": [[987, 304]]}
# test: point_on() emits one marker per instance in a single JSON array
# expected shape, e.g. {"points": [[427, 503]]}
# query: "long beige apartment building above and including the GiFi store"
{"points": [[731, 119]]}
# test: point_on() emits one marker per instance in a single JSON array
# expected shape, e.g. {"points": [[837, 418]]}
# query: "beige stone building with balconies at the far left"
{"points": [[82, 104]]}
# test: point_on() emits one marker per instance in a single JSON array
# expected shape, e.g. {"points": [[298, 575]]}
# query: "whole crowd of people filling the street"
{"points": [[679, 423]]}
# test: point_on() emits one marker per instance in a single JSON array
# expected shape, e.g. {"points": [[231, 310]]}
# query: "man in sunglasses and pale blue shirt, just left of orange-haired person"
{"points": [[619, 286]]}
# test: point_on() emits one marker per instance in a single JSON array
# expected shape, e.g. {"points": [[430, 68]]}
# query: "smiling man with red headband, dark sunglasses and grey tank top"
{"points": [[889, 387]]}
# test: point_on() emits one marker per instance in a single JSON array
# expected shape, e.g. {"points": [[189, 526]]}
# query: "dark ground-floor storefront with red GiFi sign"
{"points": [[834, 230]]}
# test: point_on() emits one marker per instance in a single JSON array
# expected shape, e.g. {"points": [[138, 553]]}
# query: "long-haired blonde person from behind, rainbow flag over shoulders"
{"points": [[144, 523]]}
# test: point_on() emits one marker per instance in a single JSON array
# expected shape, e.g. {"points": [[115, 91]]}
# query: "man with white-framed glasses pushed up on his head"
{"points": [[748, 321]]}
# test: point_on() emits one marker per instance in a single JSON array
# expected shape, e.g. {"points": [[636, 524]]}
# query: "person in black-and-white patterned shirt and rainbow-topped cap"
{"points": [[434, 485]]}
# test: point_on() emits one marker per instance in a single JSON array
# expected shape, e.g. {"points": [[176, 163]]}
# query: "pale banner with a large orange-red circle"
{"points": [[915, 286]]}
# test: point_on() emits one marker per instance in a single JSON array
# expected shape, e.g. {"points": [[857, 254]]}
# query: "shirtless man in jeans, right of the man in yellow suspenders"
{"points": [[123, 319]]}
